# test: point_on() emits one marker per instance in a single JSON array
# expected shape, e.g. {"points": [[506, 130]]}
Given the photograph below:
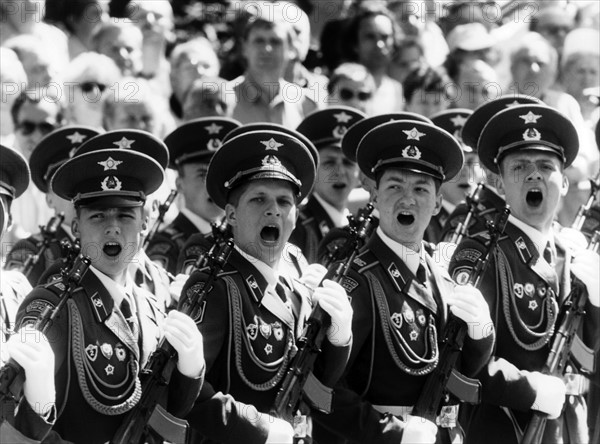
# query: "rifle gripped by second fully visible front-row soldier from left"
{"points": [[299, 378]]}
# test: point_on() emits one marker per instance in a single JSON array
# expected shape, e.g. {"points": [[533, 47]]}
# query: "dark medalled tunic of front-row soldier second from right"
{"points": [[395, 326]]}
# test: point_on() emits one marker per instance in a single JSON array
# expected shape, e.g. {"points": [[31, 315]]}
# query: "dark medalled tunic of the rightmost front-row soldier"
{"points": [[524, 293]]}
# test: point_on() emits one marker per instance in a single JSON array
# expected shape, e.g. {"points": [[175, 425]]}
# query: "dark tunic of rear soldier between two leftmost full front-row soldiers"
{"points": [[166, 246]]}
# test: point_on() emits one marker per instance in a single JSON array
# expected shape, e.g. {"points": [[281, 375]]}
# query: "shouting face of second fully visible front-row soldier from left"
{"points": [[263, 219]]}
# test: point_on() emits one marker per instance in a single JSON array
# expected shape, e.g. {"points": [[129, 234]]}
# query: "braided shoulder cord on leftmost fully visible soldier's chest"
{"points": [[79, 361]]}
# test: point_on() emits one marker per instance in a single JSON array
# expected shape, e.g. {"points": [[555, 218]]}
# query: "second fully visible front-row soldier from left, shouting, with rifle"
{"points": [[253, 313]]}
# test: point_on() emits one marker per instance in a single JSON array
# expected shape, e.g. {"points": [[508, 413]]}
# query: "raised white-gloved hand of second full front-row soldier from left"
{"points": [[333, 299]]}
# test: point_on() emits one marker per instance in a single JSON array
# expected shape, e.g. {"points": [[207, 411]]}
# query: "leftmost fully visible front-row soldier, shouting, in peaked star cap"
{"points": [[110, 326]]}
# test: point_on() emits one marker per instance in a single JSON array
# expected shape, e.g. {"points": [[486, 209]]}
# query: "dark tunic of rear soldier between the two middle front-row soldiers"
{"points": [[313, 224]]}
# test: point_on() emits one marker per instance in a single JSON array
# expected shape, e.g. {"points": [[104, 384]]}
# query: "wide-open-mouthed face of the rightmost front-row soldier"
{"points": [[533, 183]]}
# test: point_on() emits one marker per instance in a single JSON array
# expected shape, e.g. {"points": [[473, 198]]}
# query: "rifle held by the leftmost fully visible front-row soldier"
{"points": [[148, 416]]}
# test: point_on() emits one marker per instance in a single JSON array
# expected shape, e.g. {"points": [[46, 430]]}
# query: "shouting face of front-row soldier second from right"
{"points": [[406, 202]]}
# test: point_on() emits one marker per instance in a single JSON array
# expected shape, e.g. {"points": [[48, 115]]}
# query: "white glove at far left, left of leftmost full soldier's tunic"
{"points": [[31, 349]]}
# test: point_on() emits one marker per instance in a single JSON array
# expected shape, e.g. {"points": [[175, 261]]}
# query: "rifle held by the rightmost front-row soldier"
{"points": [[566, 343]]}
